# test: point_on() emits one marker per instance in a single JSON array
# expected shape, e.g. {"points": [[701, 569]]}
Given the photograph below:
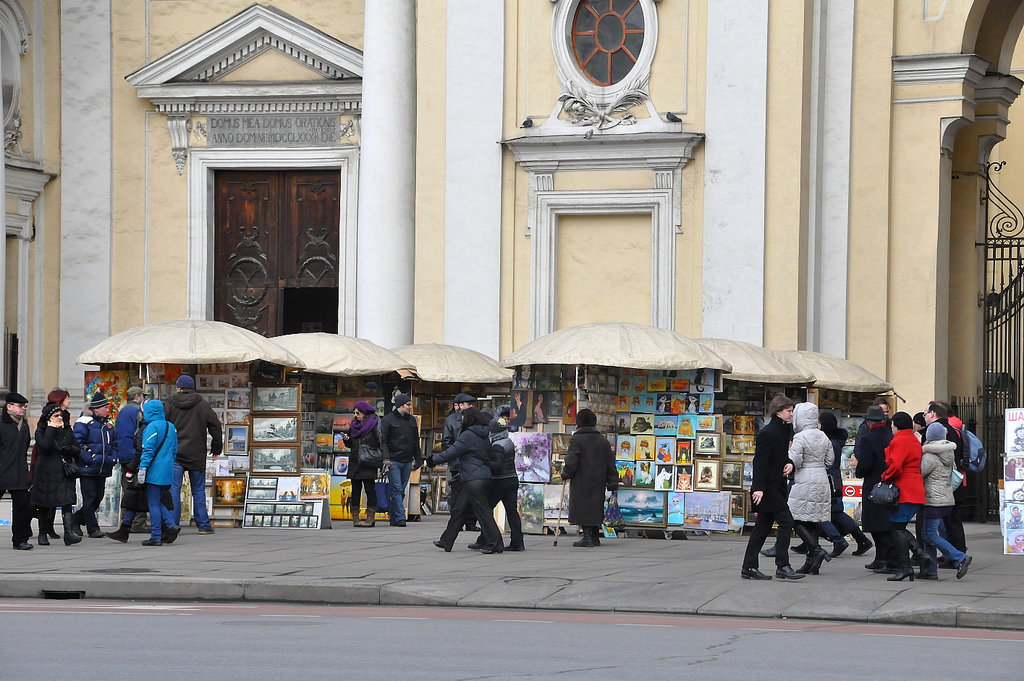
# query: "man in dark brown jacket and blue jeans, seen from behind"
{"points": [[194, 418]]}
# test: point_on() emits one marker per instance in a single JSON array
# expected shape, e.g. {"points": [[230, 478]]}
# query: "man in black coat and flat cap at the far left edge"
{"points": [[15, 437]]}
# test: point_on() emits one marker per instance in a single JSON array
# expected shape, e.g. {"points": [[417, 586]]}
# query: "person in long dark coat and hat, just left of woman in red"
{"points": [[871, 455]]}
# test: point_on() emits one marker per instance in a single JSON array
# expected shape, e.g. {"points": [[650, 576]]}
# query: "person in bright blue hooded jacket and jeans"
{"points": [[156, 471]]}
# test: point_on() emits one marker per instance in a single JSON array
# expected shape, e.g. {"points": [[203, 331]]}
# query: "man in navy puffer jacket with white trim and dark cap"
{"points": [[97, 457]]}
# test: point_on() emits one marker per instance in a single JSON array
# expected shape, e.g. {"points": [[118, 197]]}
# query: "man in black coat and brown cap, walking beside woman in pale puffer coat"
{"points": [[769, 492]]}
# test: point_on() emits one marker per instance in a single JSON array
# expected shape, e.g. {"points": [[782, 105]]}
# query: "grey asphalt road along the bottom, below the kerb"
{"points": [[86, 641]]}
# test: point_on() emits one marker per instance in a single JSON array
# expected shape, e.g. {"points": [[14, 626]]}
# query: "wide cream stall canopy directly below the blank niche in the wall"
{"points": [[618, 345]]}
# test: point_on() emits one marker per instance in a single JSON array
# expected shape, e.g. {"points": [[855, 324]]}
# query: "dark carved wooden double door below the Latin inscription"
{"points": [[275, 232]]}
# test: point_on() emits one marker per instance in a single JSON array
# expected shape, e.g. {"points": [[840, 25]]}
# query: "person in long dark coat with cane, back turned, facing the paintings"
{"points": [[590, 463]]}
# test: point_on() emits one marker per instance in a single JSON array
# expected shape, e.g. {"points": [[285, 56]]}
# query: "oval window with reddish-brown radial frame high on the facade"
{"points": [[608, 36]]}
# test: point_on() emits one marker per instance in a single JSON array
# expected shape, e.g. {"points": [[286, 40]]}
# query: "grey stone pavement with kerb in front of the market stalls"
{"points": [[400, 567]]}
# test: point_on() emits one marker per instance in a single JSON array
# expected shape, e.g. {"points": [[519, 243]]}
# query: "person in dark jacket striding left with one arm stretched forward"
{"points": [[473, 451]]}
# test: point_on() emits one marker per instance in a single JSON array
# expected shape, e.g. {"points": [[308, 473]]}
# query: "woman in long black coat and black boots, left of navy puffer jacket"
{"points": [[51, 489]]}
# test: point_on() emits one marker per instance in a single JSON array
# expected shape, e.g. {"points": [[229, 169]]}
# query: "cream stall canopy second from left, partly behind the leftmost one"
{"points": [[332, 355]]}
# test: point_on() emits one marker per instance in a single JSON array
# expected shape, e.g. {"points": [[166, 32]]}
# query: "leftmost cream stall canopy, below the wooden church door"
{"points": [[188, 343]]}
